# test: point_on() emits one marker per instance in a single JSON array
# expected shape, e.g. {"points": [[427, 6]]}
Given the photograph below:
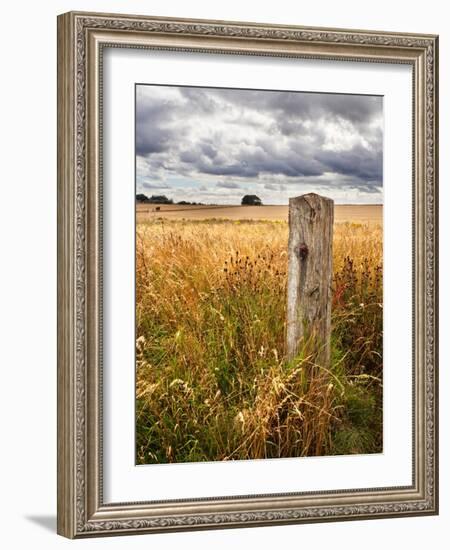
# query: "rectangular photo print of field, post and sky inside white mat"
{"points": [[259, 274]]}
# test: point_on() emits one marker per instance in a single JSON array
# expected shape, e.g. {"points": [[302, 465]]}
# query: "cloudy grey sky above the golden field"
{"points": [[216, 145]]}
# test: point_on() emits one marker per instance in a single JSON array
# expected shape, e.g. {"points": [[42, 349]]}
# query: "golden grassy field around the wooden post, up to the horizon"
{"points": [[212, 379]]}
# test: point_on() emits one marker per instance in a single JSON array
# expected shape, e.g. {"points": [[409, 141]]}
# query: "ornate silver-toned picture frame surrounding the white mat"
{"points": [[82, 41]]}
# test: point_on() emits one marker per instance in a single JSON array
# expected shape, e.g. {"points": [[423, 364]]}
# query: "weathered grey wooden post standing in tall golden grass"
{"points": [[310, 265]]}
